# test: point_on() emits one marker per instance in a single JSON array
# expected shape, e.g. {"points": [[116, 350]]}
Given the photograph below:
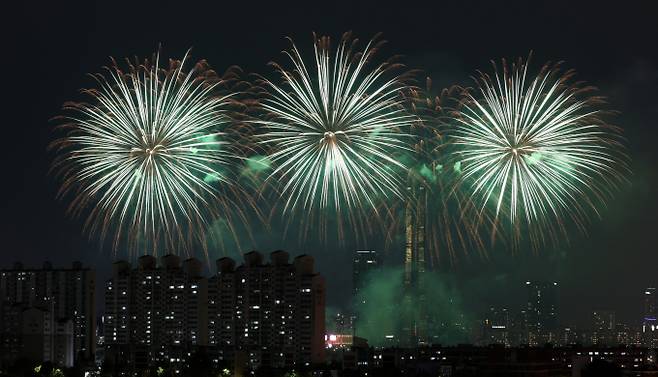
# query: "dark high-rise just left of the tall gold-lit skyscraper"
{"points": [[364, 263]]}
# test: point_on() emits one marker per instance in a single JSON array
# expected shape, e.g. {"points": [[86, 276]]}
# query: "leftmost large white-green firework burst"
{"points": [[146, 157]]}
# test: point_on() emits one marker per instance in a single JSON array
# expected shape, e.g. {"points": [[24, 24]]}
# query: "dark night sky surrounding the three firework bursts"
{"points": [[49, 46]]}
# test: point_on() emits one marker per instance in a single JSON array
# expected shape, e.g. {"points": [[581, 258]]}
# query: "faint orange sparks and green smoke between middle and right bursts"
{"points": [[454, 226]]}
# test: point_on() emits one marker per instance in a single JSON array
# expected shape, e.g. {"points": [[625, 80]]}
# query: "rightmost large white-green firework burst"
{"points": [[537, 149]]}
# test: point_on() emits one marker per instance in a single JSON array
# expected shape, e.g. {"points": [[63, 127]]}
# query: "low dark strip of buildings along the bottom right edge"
{"points": [[499, 361]]}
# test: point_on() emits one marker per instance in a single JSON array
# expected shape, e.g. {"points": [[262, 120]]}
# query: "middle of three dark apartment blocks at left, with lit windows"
{"points": [[155, 313]]}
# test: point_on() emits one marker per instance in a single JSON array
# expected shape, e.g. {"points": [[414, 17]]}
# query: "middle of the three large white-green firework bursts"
{"points": [[332, 130]]}
